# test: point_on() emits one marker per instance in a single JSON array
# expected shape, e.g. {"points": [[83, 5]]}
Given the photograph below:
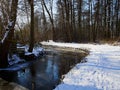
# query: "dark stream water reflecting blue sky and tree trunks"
{"points": [[44, 73]]}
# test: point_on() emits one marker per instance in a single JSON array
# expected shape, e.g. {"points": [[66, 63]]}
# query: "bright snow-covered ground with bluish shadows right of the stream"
{"points": [[100, 72]]}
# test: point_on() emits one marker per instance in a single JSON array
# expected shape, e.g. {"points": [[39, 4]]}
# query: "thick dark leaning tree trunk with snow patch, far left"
{"points": [[6, 41]]}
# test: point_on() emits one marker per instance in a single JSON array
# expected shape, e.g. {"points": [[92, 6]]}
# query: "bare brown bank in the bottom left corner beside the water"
{"points": [[5, 85]]}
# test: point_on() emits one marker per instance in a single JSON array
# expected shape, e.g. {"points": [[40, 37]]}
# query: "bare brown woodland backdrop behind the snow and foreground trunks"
{"points": [[66, 20]]}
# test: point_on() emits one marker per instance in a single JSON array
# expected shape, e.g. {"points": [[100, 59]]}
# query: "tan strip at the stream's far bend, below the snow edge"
{"points": [[65, 50]]}
